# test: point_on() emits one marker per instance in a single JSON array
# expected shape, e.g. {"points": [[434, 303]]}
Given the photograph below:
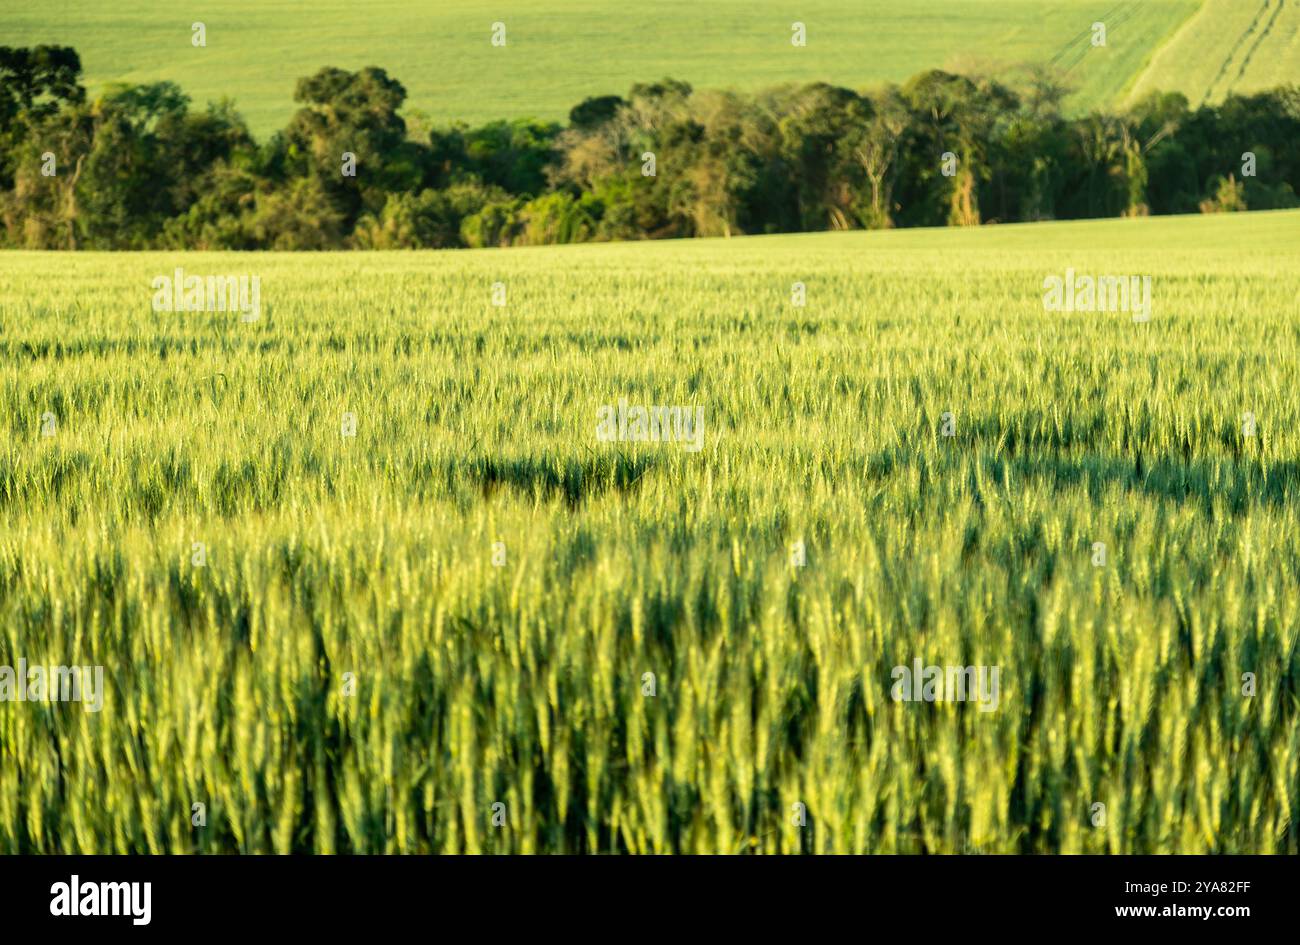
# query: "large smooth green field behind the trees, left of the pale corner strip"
{"points": [[575, 49]]}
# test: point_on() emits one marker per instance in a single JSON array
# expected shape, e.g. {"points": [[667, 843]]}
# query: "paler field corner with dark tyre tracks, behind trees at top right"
{"points": [[1230, 46]]}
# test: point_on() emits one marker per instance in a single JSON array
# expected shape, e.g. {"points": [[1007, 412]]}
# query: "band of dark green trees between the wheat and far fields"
{"points": [[140, 168]]}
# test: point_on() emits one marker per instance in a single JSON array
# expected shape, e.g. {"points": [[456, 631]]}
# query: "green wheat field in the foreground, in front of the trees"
{"points": [[525, 682]]}
